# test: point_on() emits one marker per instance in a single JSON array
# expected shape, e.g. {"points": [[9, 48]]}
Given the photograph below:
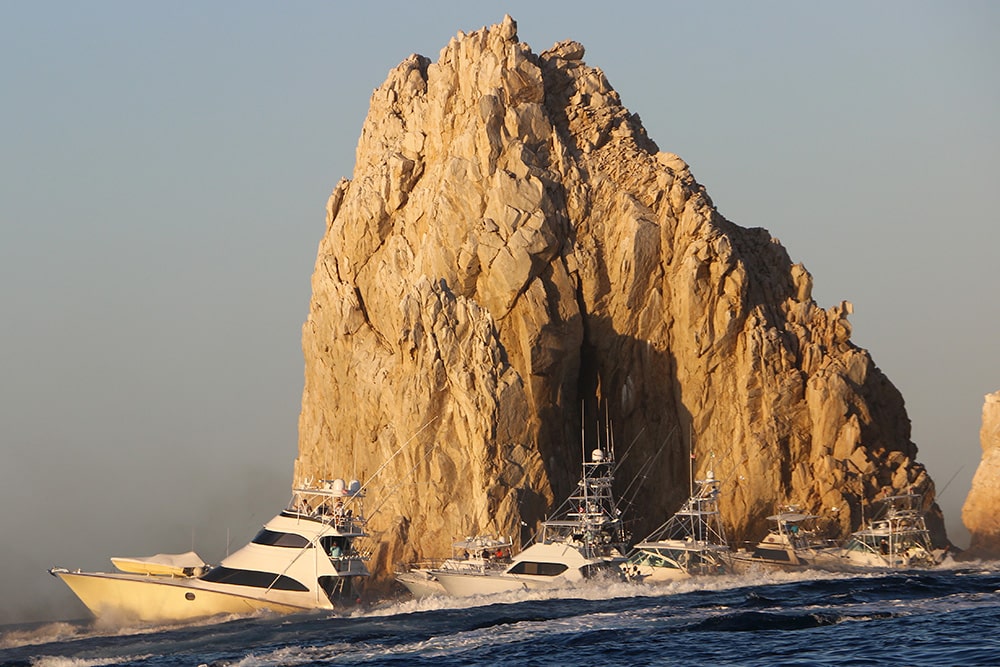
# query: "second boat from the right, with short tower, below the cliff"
{"points": [[791, 544]]}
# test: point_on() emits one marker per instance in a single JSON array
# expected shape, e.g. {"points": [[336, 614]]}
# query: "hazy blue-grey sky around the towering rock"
{"points": [[165, 168]]}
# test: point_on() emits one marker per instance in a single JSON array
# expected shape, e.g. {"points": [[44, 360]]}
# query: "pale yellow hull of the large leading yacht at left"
{"points": [[163, 599]]}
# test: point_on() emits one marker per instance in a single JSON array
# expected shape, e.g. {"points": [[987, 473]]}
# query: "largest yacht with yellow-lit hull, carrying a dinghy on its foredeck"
{"points": [[309, 557]]}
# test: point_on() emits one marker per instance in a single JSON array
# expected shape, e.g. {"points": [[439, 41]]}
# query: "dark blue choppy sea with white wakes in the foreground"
{"points": [[940, 617]]}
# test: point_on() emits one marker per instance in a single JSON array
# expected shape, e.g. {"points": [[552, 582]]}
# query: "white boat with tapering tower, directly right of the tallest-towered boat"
{"points": [[691, 542]]}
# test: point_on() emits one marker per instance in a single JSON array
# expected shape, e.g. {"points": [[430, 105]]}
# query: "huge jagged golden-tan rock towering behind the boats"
{"points": [[514, 250]]}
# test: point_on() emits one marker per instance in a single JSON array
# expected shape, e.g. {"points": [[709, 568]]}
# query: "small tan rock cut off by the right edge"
{"points": [[979, 514]]}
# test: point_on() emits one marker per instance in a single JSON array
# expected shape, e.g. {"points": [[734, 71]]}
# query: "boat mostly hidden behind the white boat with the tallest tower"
{"points": [[475, 554]]}
